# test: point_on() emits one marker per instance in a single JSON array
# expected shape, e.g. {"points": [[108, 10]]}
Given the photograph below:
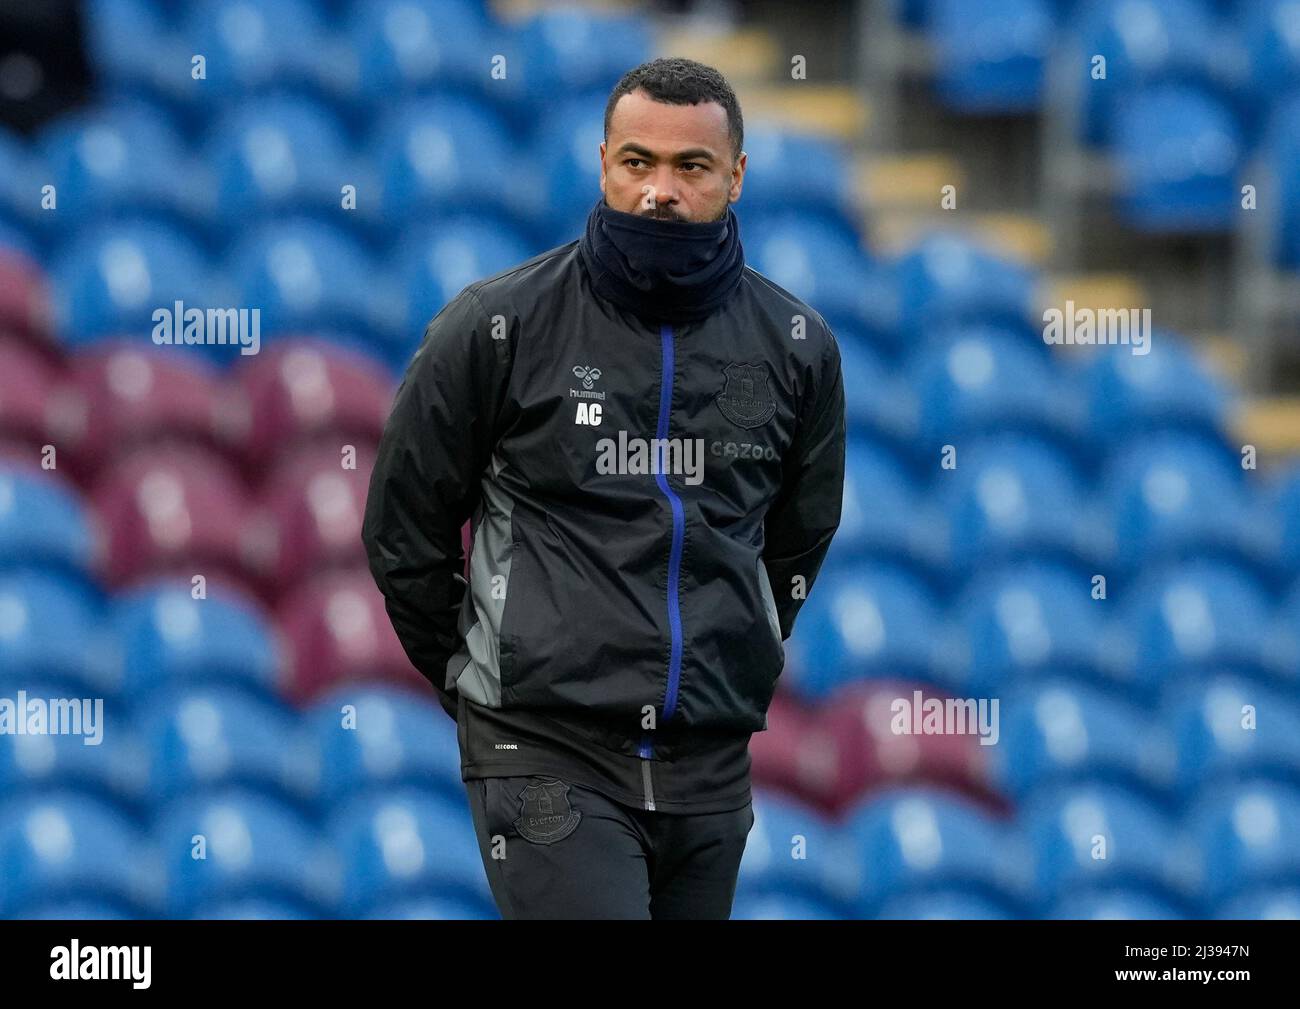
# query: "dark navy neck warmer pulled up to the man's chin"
{"points": [[670, 271]]}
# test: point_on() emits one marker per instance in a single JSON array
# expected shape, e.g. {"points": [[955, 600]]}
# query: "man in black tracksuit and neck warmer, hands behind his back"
{"points": [[649, 439]]}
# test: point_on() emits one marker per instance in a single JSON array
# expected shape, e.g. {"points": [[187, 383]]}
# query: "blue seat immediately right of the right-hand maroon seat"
{"points": [[1060, 733]]}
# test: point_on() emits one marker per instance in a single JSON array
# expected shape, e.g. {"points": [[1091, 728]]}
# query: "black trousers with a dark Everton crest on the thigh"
{"points": [[556, 850]]}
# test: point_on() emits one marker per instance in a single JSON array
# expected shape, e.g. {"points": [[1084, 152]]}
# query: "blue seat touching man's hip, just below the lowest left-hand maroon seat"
{"points": [[379, 738]]}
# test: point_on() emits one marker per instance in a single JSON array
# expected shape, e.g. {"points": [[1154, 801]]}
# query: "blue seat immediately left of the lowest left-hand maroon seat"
{"points": [[167, 638]]}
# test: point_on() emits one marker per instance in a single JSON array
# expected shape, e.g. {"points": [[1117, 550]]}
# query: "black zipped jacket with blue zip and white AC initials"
{"points": [[610, 607]]}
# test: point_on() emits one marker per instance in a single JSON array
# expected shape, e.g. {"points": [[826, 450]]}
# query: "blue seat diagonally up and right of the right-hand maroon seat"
{"points": [[1026, 621]]}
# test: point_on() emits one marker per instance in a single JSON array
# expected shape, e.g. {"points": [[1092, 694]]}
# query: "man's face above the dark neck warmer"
{"points": [[670, 162]]}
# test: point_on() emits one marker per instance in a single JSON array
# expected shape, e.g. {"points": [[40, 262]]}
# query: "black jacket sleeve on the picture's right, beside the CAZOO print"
{"points": [[807, 512]]}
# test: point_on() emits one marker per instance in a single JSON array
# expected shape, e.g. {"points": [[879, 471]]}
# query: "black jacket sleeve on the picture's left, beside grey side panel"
{"points": [[426, 484]]}
